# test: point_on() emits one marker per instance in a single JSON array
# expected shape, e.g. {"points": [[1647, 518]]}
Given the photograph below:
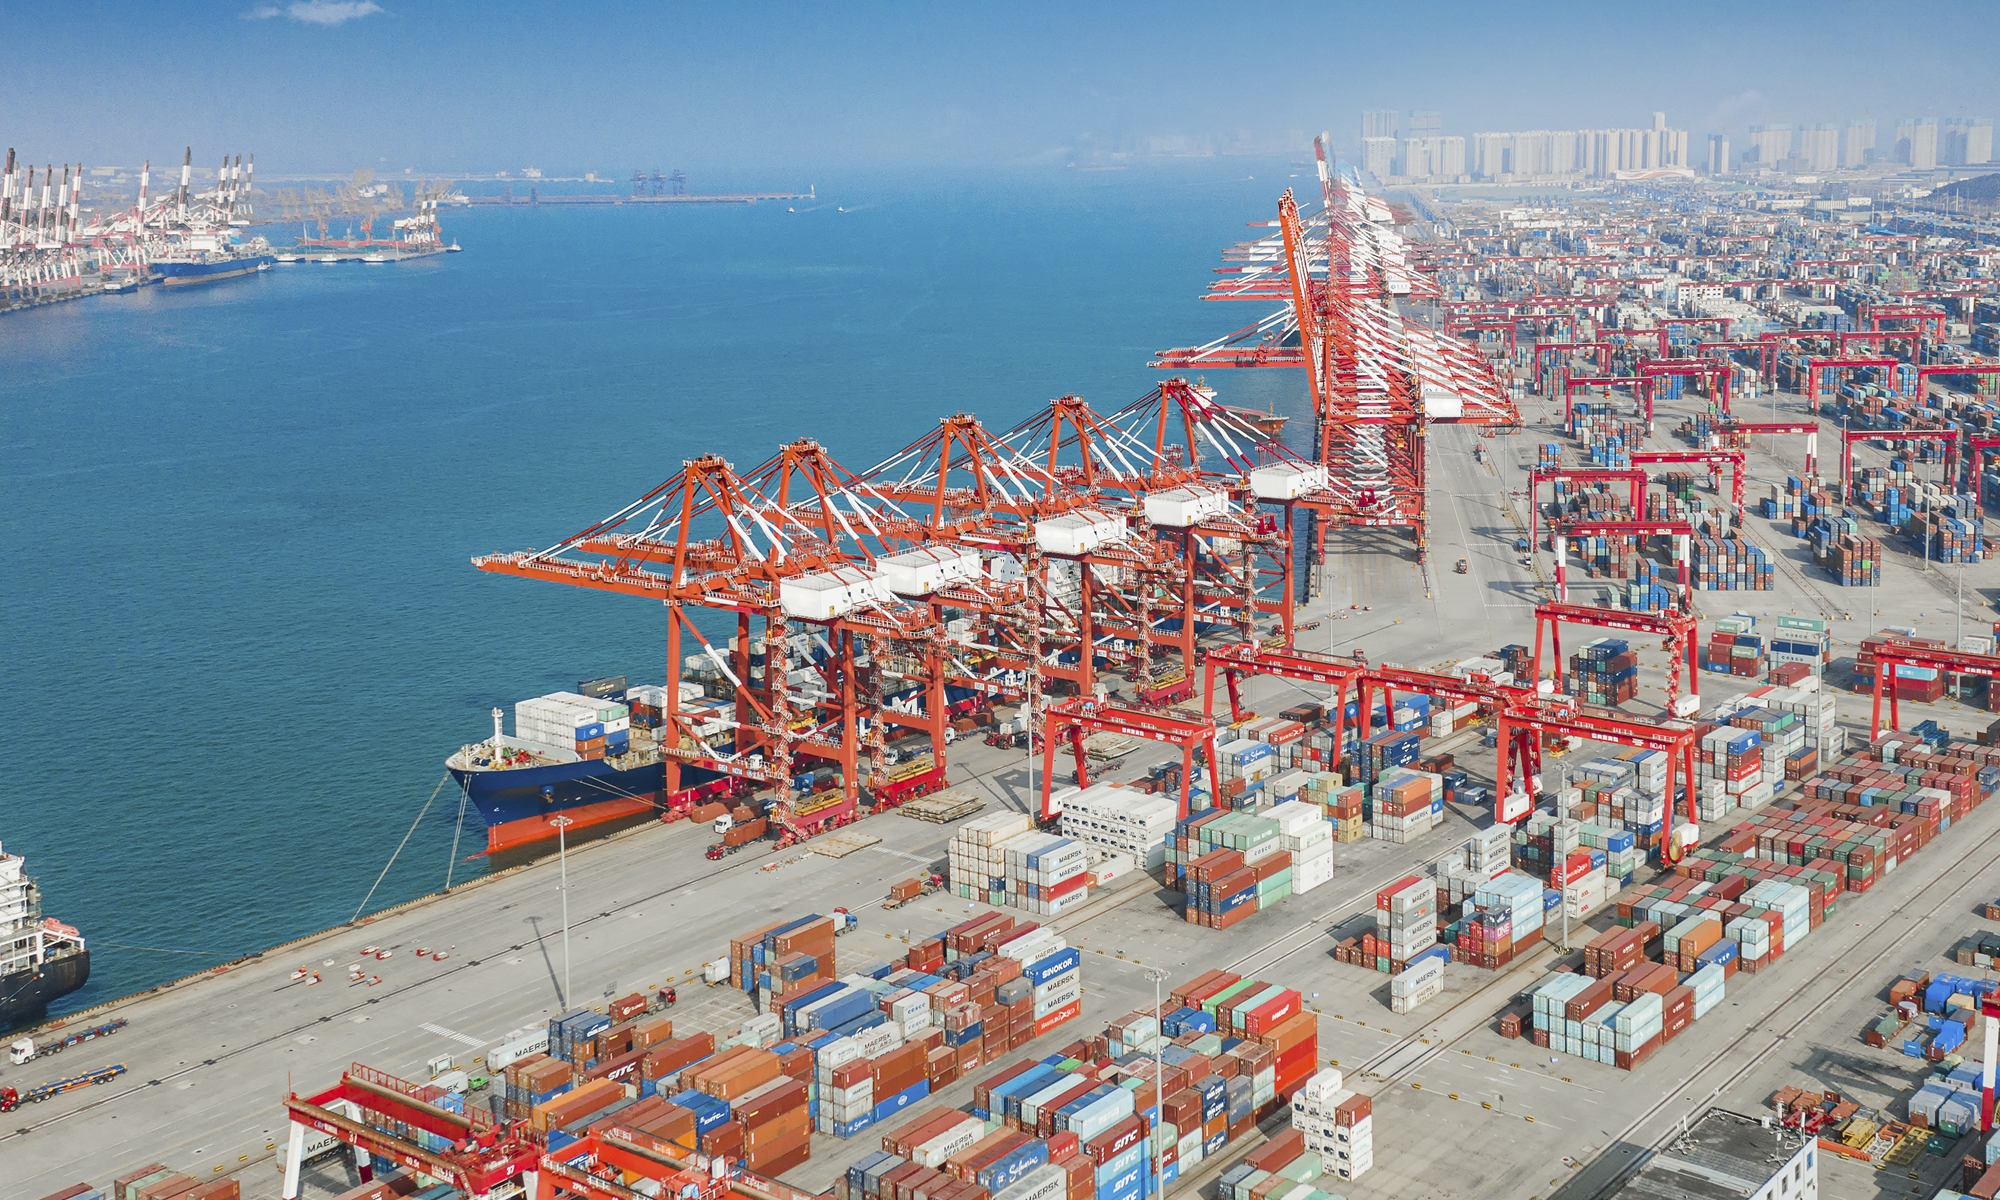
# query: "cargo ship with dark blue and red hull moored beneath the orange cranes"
{"points": [[587, 755]]}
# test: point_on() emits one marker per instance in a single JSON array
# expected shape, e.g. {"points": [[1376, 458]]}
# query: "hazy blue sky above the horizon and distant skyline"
{"points": [[789, 89]]}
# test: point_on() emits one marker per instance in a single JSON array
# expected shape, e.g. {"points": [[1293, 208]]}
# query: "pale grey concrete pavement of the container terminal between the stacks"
{"points": [[211, 1059]]}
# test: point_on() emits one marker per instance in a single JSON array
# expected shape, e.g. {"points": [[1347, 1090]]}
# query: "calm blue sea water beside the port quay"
{"points": [[241, 629]]}
